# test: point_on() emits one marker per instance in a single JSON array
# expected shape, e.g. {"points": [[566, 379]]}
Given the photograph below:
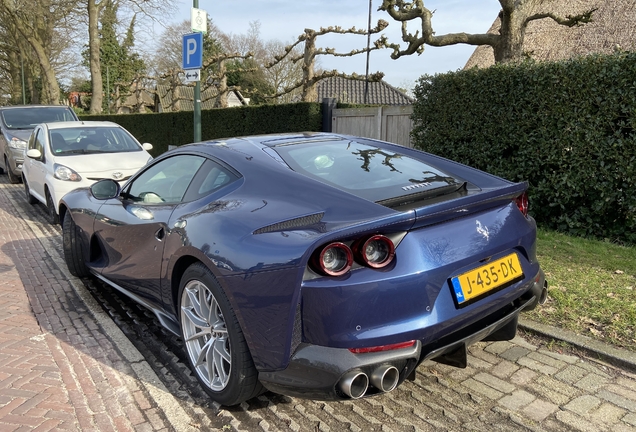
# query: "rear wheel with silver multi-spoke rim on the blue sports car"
{"points": [[214, 341]]}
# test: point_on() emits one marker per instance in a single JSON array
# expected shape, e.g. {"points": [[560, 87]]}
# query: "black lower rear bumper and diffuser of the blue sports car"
{"points": [[325, 373]]}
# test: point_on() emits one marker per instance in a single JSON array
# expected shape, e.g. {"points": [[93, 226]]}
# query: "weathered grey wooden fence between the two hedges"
{"points": [[390, 123]]}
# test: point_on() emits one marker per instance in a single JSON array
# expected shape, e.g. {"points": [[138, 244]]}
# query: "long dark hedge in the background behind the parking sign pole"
{"points": [[165, 129]]}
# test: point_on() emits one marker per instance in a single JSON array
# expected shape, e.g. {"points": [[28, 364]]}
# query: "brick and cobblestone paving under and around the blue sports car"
{"points": [[75, 356]]}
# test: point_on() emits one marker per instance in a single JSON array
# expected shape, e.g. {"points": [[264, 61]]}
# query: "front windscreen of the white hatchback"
{"points": [[86, 140]]}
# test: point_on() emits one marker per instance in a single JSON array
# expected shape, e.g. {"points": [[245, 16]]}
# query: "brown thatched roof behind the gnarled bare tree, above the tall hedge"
{"points": [[613, 26]]}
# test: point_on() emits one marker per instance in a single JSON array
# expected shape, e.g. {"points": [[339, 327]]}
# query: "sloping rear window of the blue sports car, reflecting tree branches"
{"points": [[370, 172]]}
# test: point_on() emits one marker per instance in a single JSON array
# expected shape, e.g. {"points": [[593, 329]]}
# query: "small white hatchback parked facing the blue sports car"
{"points": [[64, 156]]}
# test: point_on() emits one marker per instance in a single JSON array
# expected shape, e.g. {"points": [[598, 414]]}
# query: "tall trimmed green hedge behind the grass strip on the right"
{"points": [[565, 127]]}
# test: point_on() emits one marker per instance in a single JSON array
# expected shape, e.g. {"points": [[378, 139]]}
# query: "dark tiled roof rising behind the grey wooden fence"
{"points": [[352, 91]]}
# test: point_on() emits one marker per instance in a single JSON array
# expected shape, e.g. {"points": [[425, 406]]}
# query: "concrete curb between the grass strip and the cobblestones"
{"points": [[606, 352]]}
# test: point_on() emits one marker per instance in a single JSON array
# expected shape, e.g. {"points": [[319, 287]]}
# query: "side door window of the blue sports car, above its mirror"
{"points": [[165, 181]]}
